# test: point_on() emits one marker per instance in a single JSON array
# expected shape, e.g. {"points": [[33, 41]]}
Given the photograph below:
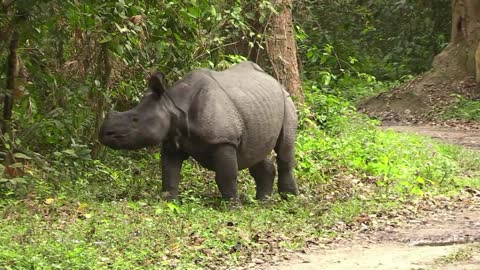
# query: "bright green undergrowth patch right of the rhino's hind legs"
{"points": [[400, 163]]}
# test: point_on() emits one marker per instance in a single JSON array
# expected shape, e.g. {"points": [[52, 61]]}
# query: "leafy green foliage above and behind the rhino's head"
{"points": [[65, 61]]}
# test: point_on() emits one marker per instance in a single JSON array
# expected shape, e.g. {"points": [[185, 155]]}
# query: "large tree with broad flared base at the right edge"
{"points": [[455, 70]]}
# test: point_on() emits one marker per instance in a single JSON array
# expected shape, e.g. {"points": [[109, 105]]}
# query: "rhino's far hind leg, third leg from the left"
{"points": [[264, 175]]}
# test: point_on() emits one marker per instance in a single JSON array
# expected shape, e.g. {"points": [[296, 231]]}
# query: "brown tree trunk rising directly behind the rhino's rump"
{"points": [[282, 49]]}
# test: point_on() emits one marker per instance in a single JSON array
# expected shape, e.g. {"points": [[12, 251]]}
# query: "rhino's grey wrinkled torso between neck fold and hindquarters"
{"points": [[244, 106]]}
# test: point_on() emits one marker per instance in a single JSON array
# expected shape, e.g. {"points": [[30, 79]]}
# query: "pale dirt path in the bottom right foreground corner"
{"points": [[446, 240]]}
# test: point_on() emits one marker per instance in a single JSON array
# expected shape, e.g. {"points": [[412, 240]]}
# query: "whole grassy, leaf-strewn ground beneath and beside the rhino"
{"points": [[104, 214]]}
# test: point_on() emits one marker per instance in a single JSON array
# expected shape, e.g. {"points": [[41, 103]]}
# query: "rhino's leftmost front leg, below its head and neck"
{"points": [[172, 161]]}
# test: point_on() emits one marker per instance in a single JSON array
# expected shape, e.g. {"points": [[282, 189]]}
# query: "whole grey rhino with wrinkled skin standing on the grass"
{"points": [[227, 121]]}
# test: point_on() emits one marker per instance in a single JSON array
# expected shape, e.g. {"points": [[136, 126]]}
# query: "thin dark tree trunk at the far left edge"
{"points": [[12, 72]]}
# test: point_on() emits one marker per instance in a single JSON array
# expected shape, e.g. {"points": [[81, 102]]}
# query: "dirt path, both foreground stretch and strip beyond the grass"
{"points": [[441, 234]]}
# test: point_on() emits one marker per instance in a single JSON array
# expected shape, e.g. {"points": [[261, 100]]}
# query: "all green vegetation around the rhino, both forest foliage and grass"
{"points": [[69, 203]]}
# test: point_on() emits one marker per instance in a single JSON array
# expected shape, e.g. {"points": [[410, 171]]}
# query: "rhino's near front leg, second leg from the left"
{"points": [[226, 170]]}
